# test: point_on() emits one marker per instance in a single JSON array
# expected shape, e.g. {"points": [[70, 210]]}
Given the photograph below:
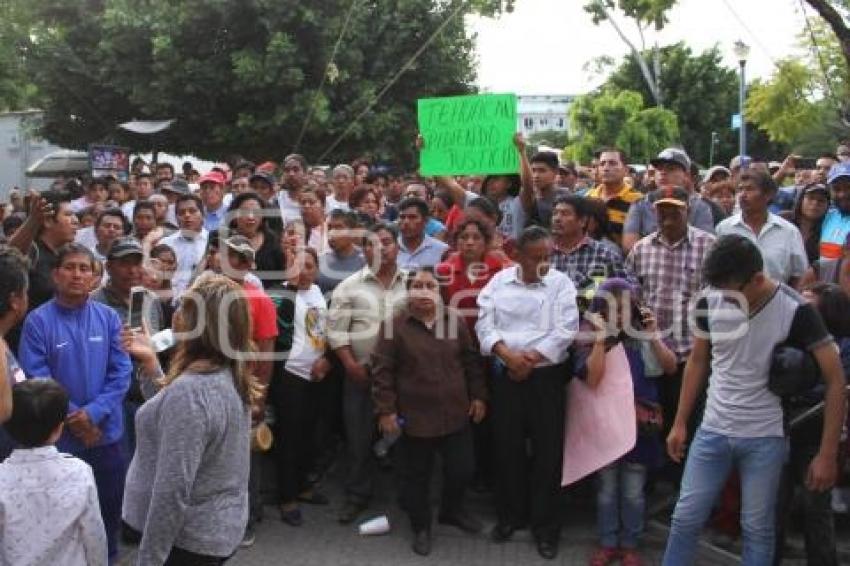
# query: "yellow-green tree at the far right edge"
{"points": [[802, 103]]}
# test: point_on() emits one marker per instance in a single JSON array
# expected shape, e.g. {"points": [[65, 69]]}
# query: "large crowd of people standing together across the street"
{"points": [[157, 329]]}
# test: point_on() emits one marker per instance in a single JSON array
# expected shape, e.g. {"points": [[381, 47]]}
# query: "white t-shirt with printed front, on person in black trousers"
{"points": [[310, 336]]}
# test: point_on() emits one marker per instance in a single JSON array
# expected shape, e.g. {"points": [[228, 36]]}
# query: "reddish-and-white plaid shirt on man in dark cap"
{"points": [[670, 276]]}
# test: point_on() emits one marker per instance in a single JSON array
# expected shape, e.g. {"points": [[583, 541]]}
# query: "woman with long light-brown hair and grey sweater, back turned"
{"points": [[187, 487]]}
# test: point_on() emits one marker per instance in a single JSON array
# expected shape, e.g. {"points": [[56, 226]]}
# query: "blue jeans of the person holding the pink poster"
{"points": [[620, 504]]}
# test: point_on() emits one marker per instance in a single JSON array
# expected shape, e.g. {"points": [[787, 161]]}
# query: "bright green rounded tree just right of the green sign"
{"points": [[608, 118]]}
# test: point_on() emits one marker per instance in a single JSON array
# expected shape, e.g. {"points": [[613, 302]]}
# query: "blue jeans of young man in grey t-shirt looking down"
{"points": [[759, 462]]}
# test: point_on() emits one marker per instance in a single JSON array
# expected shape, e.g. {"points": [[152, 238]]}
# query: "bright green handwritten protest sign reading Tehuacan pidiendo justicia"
{"points": [[468, 135]]}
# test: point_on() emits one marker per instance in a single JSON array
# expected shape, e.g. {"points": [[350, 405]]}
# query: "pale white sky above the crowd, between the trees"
{"points": [[542, 47]]}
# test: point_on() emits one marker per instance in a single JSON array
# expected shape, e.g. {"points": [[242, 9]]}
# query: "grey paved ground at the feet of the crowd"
{"points": [[322, 541]]}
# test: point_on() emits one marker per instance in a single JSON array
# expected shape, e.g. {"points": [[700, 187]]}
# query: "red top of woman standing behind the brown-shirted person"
{"points": [[454, 279]]}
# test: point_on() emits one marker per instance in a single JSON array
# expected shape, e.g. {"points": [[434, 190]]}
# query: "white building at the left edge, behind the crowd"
{"points": [[20, 148]]}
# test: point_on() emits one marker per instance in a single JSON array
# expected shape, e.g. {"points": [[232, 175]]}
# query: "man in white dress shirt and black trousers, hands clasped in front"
{"points": [[528, 318]]}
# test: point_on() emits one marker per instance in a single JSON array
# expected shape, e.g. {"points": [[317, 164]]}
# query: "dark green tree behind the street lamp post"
{"points": [[698, 89]]}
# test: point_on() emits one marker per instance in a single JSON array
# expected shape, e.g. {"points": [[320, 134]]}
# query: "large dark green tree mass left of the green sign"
{"points": [[331, 79]]}
